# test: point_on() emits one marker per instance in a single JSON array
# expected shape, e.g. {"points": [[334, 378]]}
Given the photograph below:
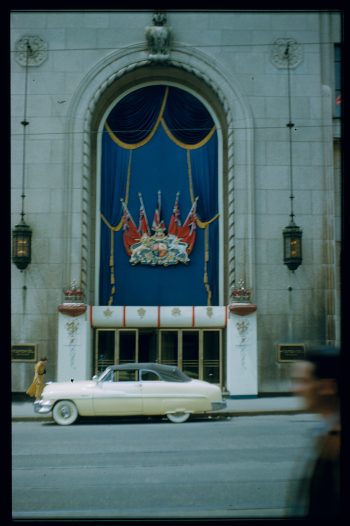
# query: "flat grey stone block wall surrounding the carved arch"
{"points": [[239, 44]]}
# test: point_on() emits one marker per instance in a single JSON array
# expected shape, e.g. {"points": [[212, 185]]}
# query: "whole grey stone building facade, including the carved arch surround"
{"points": [[235, 63]]}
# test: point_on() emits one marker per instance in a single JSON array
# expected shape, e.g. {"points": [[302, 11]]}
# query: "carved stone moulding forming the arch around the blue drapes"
{"points": [[108, 80]]}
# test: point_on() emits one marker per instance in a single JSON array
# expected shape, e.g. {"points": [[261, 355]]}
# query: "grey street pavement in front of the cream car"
{"points": [[139, 469]]}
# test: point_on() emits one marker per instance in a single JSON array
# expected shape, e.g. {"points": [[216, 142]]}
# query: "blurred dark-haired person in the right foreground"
{"points": [[316, 380]]}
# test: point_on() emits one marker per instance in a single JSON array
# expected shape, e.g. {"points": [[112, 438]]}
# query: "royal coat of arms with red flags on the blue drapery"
{"points": [[163, 246]]}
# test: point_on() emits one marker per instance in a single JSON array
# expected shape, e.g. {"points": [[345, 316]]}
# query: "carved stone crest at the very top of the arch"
{"points": [[158, 38]]}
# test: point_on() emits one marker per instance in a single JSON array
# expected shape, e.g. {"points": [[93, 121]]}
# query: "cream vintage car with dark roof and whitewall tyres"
{"points": [[131, 389]]}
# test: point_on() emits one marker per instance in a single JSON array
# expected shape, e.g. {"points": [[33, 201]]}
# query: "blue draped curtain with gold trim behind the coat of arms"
{"points": [[159, 138]]}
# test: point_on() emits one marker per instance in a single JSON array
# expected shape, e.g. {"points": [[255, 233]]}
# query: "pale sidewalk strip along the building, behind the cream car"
{"points": [[23, 410]]}
